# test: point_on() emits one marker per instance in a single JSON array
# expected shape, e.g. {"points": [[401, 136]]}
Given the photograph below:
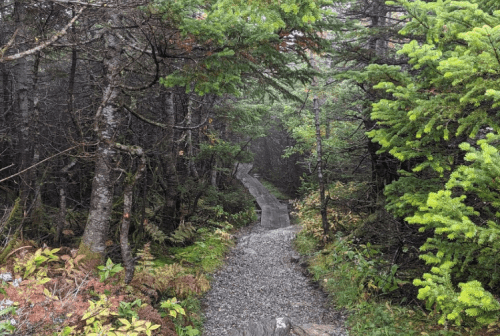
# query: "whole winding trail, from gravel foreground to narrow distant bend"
{"points": [[261, 291]]}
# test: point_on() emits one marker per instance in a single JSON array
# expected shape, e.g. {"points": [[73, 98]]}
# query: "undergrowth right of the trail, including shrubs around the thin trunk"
{"points": [[362, 279]]}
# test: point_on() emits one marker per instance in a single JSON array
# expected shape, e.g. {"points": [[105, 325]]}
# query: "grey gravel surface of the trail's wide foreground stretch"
{"points": [[260, 281]]}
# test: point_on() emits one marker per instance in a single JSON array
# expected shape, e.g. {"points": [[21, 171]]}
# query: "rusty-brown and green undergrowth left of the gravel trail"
{"points": [[61, 295]]}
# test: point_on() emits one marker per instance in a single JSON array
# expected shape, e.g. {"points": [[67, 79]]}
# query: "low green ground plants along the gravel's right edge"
{"points": [[353, 275]]}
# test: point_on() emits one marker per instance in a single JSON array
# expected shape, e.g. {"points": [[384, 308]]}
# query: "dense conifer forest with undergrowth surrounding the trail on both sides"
{"points": [[121, 123]]}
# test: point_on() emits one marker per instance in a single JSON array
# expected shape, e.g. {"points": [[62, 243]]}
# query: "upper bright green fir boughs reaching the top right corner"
{"points": [[448, 96]]}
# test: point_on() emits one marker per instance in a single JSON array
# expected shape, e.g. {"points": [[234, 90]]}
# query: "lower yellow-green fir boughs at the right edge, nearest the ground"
{"points": [[465, 243]]}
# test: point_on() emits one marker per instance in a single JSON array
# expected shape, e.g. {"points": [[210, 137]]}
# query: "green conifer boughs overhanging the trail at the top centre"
{"points": [[245, 39]]}
